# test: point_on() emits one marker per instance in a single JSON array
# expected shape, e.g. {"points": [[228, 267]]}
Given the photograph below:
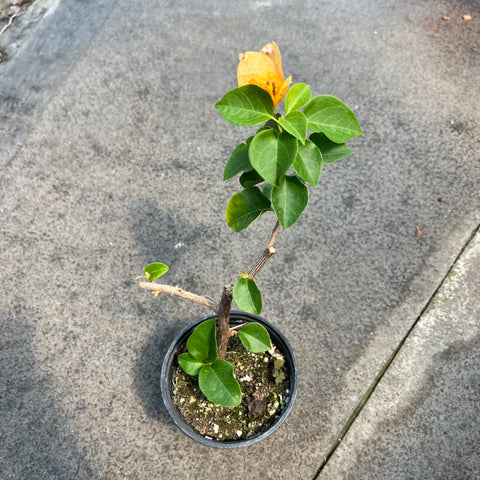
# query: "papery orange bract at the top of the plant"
{"points": [[264, 69]]}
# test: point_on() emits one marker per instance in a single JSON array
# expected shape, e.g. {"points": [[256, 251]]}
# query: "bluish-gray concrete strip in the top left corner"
{"points": [[49, 36]]}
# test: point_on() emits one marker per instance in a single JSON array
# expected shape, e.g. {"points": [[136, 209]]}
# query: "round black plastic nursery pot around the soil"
{"points": [[170, 363]]}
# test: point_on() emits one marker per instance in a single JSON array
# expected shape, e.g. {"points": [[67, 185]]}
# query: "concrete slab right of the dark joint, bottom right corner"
{"points": [[423, 420]]}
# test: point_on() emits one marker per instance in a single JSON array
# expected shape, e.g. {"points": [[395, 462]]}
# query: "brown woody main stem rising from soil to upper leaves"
{"points": [[223, 314]]}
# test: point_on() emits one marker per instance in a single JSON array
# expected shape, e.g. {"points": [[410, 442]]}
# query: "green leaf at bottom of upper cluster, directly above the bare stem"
{"points": [[289, 200]]}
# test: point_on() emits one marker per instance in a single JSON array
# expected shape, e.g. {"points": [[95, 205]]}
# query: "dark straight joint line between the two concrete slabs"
{"points": [[390, 359]]}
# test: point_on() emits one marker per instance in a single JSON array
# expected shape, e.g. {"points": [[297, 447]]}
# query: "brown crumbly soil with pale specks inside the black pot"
{"points": [[264, 382]]}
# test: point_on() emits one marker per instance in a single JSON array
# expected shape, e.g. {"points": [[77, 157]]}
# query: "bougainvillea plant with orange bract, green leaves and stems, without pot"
{"points": [[275, 167]]}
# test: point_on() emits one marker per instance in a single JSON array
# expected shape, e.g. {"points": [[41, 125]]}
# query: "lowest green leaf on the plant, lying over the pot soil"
{"points": [[219, 385]]}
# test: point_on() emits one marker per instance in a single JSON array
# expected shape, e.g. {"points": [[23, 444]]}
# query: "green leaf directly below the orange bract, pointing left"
{"points": [[246, 106]]}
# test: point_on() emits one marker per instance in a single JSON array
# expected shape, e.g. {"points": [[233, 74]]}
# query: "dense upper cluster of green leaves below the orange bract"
{"points": [[276, 164]]}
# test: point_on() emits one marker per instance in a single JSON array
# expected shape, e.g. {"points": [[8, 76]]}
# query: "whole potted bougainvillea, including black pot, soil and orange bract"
{"points": [[230, 378]]}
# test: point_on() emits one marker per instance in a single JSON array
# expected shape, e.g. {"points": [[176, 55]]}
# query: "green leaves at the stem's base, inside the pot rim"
{"points": [[215, 377]]}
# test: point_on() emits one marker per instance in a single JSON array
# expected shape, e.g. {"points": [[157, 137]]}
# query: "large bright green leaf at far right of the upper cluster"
{"points": [[331, 116]]}
